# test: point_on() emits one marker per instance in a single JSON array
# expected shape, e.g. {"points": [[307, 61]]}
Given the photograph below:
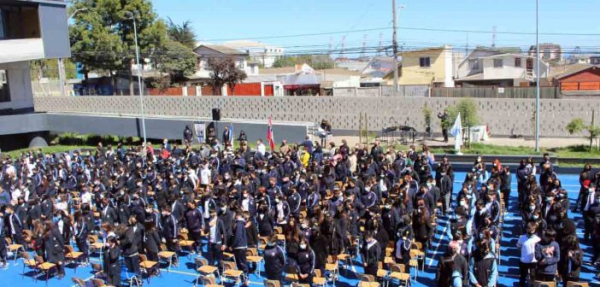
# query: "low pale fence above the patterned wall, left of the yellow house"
{"points": [[415, 91]]}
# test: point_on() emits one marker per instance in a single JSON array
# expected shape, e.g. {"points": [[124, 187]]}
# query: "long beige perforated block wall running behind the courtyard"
{"points": [[503, 116]]}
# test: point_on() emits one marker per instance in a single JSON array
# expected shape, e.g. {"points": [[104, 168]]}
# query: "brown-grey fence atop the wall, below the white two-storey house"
{"points": [[496, 92]]}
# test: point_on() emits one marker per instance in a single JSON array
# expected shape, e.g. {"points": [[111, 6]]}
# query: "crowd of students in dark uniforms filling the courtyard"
{"points": [[308, 204]]}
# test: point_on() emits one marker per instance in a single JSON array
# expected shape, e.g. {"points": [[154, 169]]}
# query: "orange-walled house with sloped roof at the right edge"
{"points": [[585, 79]]}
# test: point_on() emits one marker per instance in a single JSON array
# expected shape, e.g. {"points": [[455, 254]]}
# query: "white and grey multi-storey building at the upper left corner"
{"points": [[29, 30]]}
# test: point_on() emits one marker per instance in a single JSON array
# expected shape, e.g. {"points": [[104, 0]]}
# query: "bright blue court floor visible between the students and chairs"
{"points": [[185, 275]]}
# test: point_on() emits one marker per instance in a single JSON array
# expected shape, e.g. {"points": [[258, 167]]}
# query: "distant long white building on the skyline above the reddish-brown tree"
{"points": [[257, 51]]}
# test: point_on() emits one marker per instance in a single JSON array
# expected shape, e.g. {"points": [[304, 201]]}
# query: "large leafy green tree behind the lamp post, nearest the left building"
{"points": [[102, 36]]}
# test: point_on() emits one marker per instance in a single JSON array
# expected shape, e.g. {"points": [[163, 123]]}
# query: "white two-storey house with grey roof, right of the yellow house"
{"points": [[504, 70]]}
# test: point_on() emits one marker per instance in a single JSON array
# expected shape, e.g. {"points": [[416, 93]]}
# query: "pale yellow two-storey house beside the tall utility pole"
{"points": [[431, 66]]}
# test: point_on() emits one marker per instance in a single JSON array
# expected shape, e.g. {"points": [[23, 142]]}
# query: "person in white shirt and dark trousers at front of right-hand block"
{"points": [[528, 263]]}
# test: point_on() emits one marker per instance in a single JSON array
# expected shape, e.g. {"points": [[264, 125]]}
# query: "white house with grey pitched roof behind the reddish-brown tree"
{"points": [[209, 51]]}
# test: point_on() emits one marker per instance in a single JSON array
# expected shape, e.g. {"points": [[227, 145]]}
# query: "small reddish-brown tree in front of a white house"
{"points": [[224, 72]]}
